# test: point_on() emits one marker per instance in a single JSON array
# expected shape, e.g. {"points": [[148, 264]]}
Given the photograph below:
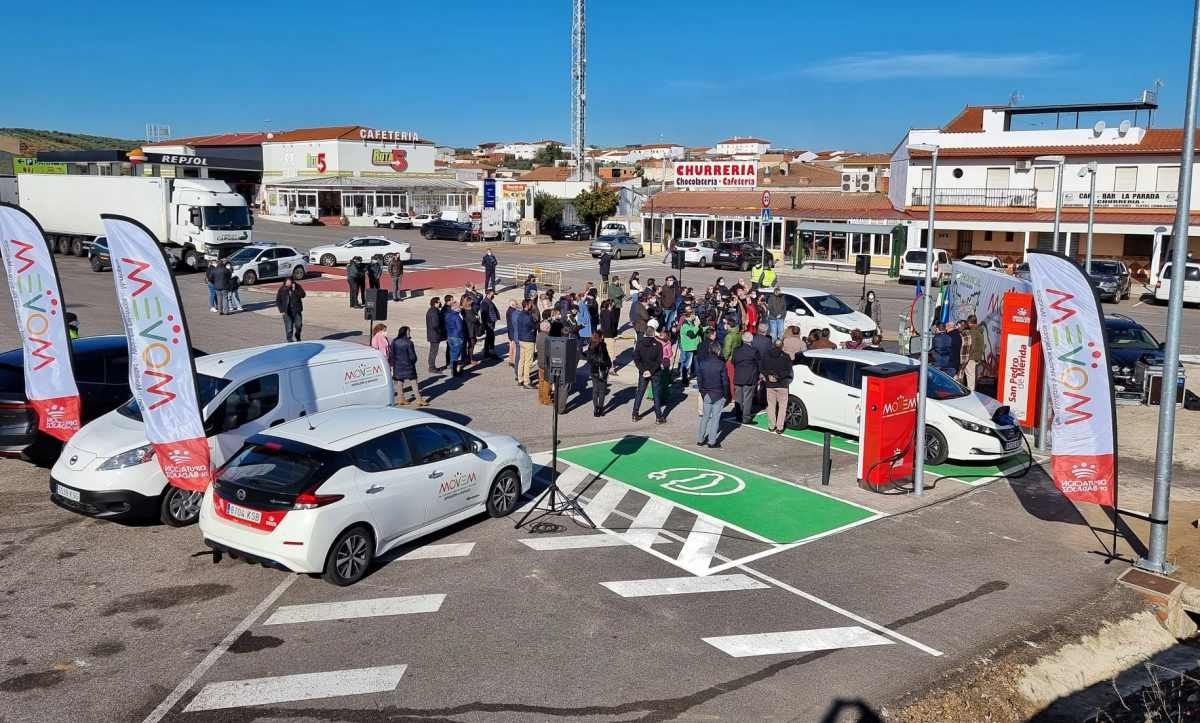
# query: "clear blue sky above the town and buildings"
{"points": [[801, 74]]}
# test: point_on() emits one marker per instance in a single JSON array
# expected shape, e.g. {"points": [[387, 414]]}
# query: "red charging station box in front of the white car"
{"points": [[886, 428]]}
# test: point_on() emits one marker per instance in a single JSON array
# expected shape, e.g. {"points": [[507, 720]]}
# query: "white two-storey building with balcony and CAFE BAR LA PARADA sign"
{"points": [[998, 184]]}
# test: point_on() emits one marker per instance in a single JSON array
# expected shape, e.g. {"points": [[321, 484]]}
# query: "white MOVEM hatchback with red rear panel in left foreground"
{"points": [[331, 493]]}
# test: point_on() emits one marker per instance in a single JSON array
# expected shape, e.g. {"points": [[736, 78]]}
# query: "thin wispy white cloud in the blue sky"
{"points": [[875, 67]]}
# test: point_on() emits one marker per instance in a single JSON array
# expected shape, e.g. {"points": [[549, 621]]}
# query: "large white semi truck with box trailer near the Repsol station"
{"points": [[196, 219]]}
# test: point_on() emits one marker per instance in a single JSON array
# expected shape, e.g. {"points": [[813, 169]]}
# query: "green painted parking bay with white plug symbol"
{"points": [[765, 506]]}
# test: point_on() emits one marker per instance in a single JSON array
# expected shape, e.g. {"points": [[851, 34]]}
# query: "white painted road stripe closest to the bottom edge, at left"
{"points": [[290, 689]]}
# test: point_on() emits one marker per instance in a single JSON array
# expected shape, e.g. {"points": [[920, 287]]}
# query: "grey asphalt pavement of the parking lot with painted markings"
{"points": [[485, 623]]}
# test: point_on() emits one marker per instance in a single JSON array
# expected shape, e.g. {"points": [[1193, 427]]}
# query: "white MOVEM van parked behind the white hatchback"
{"points": [[109, 469]]}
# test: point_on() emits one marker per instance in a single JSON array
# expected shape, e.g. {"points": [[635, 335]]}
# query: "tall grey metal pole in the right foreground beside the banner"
{"points": [[1161, 509]]}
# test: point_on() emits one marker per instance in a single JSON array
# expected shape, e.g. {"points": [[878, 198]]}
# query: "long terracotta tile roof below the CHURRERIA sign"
{"points": [[815, 205]]}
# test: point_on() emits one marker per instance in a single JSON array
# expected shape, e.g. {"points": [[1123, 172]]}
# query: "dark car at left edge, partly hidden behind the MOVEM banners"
{"points": [[103, 375]]}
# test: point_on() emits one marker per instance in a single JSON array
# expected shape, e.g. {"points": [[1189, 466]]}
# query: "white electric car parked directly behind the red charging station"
{"points": [[963, 426]]}
